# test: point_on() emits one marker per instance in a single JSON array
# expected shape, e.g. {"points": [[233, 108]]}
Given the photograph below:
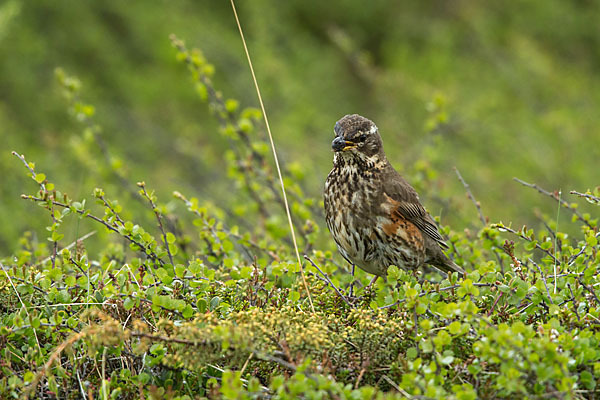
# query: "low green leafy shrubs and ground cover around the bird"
{"points": [[202, 301]]}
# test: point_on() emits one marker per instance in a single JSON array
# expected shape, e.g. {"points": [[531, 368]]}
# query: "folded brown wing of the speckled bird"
{"points": [[403, 200]]}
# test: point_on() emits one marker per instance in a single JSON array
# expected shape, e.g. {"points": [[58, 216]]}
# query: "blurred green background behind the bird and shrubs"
{"points": [[498, 89]]}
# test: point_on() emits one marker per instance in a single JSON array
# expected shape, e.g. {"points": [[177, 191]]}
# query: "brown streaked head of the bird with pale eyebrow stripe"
{"points": [[358, 138]]}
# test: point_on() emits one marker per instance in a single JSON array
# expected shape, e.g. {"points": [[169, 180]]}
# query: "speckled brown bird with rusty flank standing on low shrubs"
{"points": [[372, 212]]}
